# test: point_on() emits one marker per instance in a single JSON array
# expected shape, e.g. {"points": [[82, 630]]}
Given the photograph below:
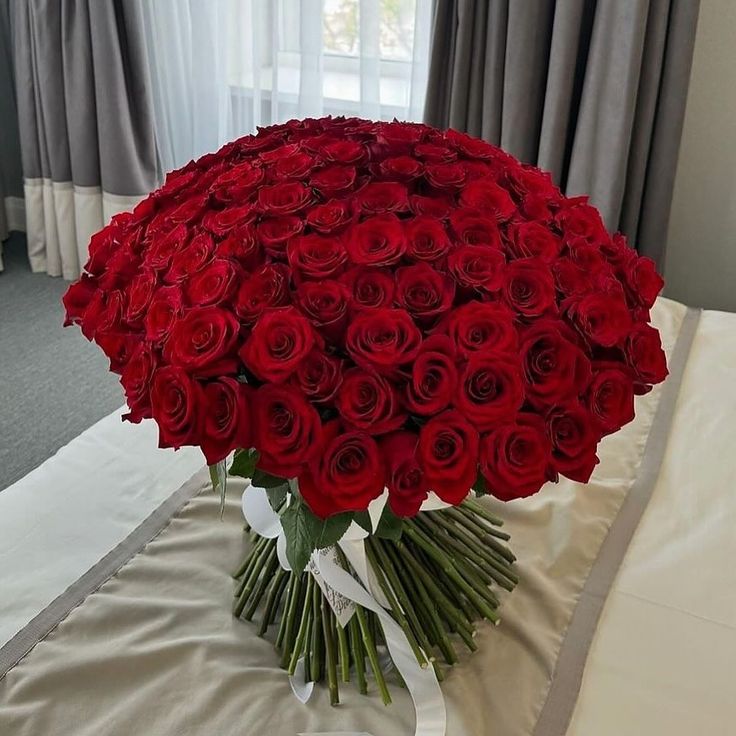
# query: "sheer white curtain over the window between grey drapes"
{"points": [[220, 68]]}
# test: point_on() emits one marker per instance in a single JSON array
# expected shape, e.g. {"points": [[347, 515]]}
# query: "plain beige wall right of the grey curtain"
{"points": [[700, 267]]}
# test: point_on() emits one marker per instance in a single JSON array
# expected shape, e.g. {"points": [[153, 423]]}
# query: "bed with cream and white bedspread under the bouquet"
{"points": [[115, 588]]}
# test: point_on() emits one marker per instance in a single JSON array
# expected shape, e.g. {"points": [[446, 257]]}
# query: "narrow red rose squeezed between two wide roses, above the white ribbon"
{"points": [[405, 481]]}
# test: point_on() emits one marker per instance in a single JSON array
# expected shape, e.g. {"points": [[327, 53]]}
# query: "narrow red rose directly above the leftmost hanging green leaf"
{"points": [[227, 424]]}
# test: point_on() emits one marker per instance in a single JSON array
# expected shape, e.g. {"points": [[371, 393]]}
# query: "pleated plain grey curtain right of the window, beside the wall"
{"points": [[593, 91]]}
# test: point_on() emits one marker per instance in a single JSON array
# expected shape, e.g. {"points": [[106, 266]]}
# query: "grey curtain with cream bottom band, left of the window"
{"points": [[86, 122]]}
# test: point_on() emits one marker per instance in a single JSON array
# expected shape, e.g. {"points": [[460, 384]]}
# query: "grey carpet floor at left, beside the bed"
{"points": [[53, 383]]}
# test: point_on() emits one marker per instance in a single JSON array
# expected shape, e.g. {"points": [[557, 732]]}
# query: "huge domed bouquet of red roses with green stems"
{"points": [[372, 312]]}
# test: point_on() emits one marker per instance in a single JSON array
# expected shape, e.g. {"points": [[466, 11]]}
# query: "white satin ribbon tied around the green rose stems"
{"points": [[343, 591]]}
